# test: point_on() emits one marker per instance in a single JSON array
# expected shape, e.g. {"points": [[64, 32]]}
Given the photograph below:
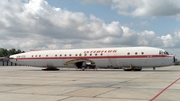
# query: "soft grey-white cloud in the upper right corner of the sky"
{"points": [[142, 8]]}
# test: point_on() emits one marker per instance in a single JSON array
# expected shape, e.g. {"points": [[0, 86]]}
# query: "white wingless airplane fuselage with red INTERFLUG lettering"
{"points": [[128, 58]]}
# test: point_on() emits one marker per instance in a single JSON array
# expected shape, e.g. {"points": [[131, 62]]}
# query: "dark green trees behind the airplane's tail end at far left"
{"points": [[8, 52]]}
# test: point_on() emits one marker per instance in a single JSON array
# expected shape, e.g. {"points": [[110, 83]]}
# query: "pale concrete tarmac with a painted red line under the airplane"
{"points": [[22, 83]]}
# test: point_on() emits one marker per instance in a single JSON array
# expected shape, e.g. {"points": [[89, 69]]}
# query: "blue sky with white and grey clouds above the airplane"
{"points": [[59, 24]]}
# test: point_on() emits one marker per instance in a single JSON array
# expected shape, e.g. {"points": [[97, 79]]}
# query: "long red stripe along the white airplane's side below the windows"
{"points": [[96, 57]]}
